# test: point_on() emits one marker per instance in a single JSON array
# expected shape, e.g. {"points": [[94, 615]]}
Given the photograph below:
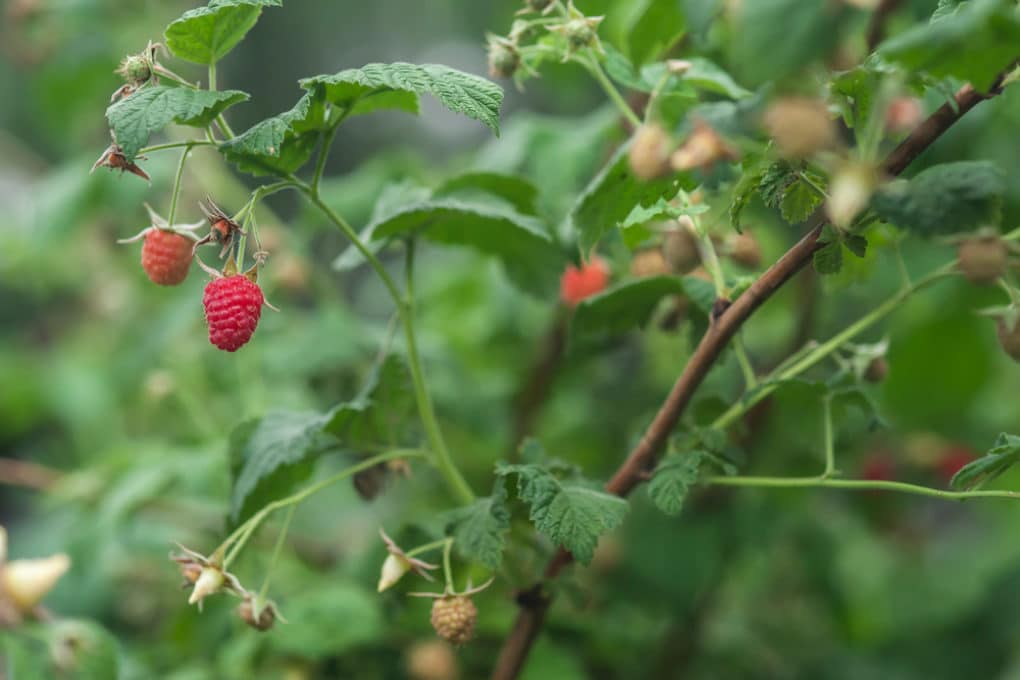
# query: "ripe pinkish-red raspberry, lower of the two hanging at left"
{"points": [[233, 306]]}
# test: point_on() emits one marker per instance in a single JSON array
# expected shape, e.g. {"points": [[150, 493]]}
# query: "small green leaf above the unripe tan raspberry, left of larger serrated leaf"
{"points": [[480, 530]]}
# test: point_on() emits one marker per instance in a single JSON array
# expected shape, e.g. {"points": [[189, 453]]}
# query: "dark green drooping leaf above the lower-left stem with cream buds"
{"points": [[270, 456]]}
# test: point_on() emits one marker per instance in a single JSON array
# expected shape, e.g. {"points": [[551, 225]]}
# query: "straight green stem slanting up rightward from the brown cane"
{"points": [[819, 353]]}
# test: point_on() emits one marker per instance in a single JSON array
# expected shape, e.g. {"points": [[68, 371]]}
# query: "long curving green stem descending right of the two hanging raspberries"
{"points": [[405, 308]]}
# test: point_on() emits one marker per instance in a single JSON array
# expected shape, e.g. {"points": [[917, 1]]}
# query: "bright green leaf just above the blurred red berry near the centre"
{"points": [[611, 196]]}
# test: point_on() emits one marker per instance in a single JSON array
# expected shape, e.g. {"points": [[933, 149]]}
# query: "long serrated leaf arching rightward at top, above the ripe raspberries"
{"points": [[398, 86]]}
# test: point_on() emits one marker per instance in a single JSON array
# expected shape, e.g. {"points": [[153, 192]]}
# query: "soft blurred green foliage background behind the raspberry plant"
{"points": [[111, 384]]}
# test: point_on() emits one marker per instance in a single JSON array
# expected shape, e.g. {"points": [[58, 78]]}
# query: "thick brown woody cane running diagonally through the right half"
{"points": [[644, 457]]}
